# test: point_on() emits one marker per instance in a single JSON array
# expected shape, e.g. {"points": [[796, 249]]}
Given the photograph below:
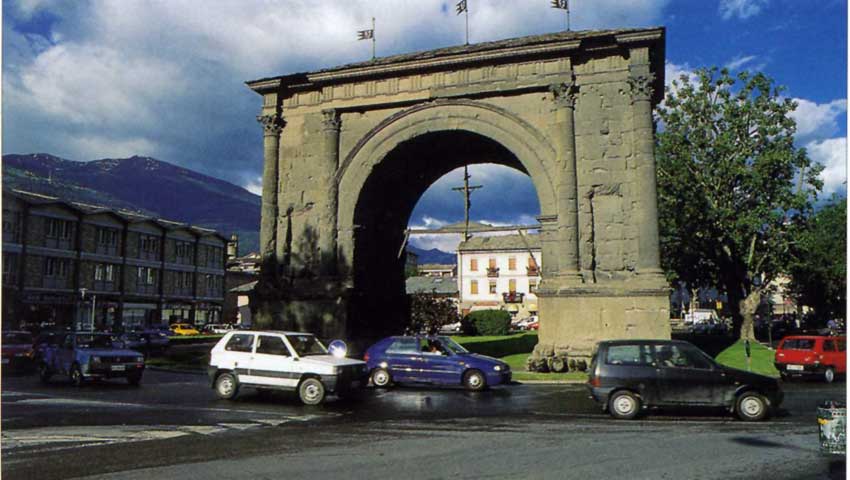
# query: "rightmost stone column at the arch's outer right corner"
{"points": [[649, 257]]}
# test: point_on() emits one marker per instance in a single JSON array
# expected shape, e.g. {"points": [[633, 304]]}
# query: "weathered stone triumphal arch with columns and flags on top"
{"points": [[349, 150]]}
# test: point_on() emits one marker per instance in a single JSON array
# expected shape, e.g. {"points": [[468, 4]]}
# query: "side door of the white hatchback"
{"points": [[272, 363]]}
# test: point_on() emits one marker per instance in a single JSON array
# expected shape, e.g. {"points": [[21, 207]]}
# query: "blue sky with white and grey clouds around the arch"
{"points": [[93, 79]]}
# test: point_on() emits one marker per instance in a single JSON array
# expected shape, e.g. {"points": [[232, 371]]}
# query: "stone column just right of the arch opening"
{"points": [[567, 181]]}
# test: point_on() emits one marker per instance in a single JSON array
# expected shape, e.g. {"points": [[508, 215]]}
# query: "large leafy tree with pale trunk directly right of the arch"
{"points": [[730, 186]]}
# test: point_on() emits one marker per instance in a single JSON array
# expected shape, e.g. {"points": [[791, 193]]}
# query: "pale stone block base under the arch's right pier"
{"points": [[579, 317]]}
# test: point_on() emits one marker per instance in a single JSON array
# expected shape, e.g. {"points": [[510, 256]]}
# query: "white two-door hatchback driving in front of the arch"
{"points": [[278, 360]]}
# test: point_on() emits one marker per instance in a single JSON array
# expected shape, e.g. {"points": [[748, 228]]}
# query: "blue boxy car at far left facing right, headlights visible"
{"points": [[84, 356]]}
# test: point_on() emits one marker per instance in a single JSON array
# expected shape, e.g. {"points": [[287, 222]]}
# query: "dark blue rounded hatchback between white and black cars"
{"points": [[435, 360]]}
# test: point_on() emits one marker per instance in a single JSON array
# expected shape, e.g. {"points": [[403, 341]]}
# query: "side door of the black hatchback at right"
{"points": [[687, 377]]}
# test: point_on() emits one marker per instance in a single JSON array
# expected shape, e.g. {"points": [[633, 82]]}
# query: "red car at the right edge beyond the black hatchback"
{"points": [[811, 355]]}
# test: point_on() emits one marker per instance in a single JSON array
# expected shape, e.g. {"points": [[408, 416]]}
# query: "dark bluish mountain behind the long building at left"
{"points": [[143, 184]]}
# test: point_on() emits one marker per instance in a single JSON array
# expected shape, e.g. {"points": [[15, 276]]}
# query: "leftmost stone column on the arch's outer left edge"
{"points": [[272, 128]]}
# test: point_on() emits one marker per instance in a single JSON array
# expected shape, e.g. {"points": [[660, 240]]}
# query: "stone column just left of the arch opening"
{"points": [[328, 219]]}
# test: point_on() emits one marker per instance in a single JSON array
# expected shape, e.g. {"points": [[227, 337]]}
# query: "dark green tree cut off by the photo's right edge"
{"points": [[818, 275]]}
